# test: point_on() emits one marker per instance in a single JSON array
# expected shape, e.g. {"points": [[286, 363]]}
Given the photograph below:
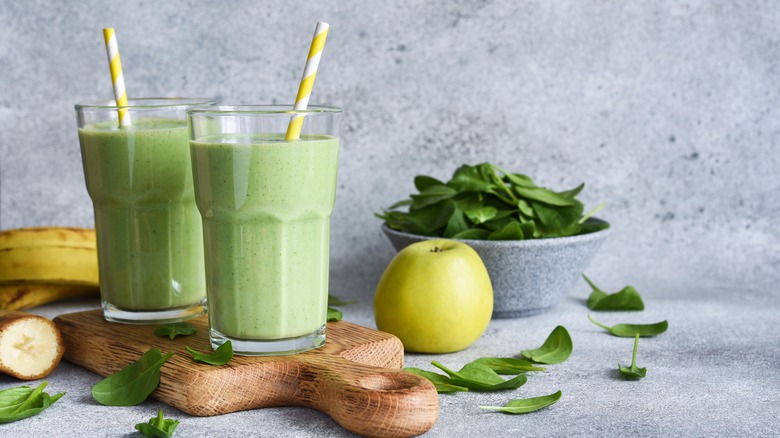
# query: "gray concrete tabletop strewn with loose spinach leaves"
{"points": [[713, 373]]}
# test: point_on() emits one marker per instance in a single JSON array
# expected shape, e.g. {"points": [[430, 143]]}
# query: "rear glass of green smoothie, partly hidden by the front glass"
{"points": [[149, 233]]}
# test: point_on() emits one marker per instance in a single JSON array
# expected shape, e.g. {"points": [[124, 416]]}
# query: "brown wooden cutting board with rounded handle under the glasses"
{"points": [[357, 378]]}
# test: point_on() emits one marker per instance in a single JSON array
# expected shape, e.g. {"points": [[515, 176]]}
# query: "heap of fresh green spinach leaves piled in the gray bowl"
{"points": [[486, 202]]}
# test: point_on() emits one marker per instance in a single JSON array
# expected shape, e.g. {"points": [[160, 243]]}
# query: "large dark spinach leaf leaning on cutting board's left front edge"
{"points": [[133, 383]]}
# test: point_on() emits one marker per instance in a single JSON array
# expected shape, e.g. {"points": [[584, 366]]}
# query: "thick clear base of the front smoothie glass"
{"points": [[274, 347]]}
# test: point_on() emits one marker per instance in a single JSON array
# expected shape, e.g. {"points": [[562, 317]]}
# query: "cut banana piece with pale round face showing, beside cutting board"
{"points": [[30, 345]]}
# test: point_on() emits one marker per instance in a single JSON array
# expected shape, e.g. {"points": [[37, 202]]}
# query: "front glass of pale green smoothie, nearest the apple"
{"points": [[266, 205]]}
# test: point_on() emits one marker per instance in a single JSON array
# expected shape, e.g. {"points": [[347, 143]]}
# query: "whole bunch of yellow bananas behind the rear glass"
{"points": [[41, 265]]}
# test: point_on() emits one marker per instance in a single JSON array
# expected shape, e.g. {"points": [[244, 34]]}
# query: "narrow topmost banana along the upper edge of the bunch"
{"points": [[47, 236]]}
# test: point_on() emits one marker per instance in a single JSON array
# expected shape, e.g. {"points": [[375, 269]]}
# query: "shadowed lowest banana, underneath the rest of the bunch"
{"points": [[28, 295]]}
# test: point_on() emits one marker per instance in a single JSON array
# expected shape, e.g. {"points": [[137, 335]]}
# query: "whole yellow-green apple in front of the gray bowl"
{"points": [[435, 296]]}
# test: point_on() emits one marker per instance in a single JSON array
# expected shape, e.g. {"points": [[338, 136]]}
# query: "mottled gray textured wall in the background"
{"points": [[666, 109]]}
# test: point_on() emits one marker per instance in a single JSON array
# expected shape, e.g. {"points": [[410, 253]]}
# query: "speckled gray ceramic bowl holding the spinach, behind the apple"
{"points": [[529, 276]]}
